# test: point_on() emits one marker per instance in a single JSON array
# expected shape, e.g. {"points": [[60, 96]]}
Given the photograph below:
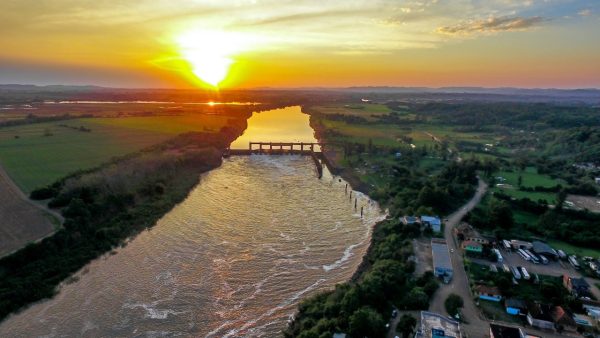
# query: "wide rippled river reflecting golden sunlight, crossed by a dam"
{"points": [[252, 239]]}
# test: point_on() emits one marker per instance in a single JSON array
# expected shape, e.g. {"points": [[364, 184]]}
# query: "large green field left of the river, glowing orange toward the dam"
{"points": [[45, 152]]}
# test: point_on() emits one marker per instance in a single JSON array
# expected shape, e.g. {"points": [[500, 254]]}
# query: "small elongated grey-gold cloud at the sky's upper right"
{"points": [[492, 25]]}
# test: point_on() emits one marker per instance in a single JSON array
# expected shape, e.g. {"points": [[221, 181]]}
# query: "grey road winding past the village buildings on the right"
{"points": [[475, 325]]}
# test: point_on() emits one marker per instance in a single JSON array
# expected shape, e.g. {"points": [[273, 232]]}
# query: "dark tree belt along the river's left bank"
{"points": [[103, 207]]}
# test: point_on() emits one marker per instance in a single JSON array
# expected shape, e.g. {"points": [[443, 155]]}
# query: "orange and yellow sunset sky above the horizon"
{"points": [[158, 43]]}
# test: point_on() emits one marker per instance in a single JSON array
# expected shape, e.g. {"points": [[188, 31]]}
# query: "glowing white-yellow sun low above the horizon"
{"points": [[210, 54]]}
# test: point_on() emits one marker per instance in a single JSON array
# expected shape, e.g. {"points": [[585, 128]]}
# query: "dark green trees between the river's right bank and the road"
{"points": [[362, 306]]}
